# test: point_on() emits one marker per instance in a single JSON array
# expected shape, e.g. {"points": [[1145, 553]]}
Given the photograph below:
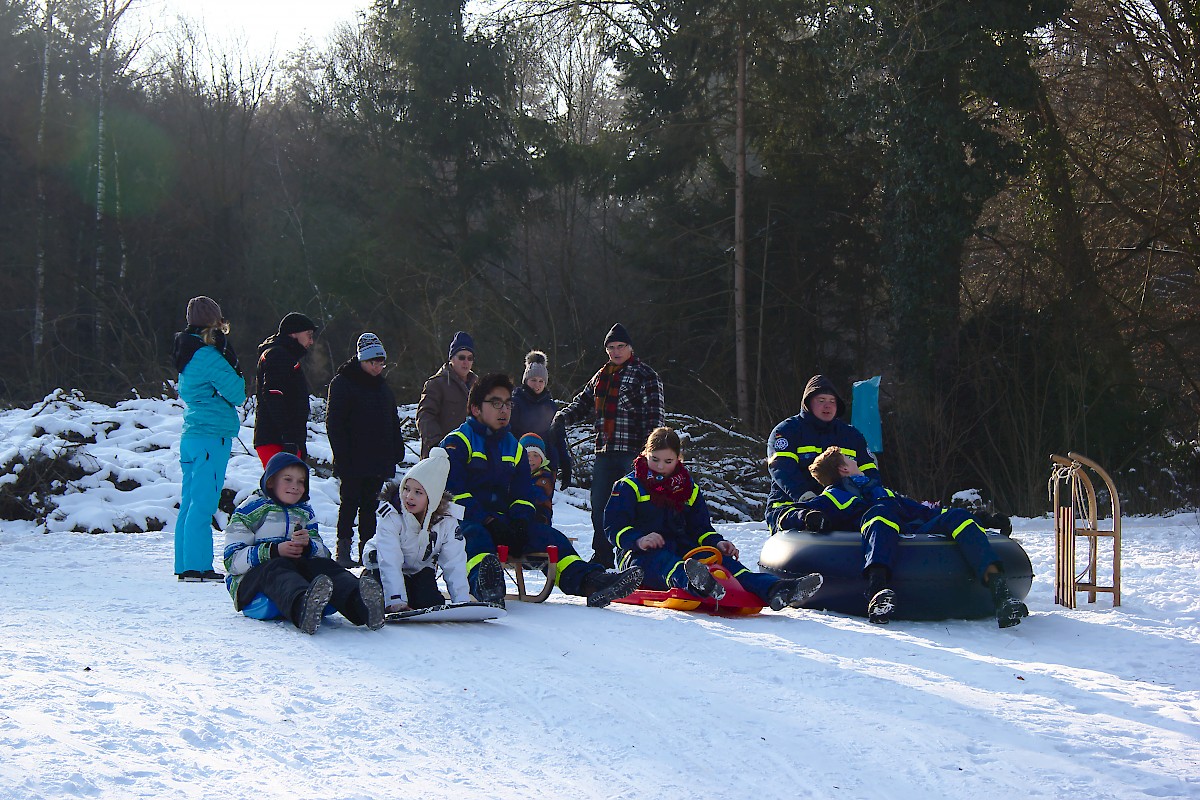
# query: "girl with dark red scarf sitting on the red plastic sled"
{"points": [[657, 514]]}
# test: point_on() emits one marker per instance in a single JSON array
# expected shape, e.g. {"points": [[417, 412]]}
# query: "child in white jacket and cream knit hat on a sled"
{"points": [[417, 533]]}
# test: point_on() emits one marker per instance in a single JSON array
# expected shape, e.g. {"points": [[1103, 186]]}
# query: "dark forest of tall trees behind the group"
{"points": [[993, 204]]}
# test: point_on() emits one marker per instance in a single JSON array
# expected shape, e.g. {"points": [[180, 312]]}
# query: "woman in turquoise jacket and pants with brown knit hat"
{"points": [[212, 387]]}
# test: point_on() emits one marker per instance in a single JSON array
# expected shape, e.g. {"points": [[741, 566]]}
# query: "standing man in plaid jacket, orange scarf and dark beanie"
{"points": [[625, 400]]}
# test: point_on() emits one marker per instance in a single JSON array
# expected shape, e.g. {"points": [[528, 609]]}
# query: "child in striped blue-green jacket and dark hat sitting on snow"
{"points": [[273, 549]]}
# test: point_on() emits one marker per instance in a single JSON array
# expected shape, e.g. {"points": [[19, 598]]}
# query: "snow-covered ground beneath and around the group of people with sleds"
{"points": [[117, 682]]}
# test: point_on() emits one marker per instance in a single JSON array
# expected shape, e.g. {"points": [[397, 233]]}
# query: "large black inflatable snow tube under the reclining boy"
{"points": [[931, 578]]}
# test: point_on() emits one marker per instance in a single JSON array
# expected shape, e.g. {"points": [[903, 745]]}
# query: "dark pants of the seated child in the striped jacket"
{"points": [[285, 582]]}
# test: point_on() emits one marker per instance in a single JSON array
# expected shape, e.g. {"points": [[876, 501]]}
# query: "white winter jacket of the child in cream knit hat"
{"points": [[403, 548]]}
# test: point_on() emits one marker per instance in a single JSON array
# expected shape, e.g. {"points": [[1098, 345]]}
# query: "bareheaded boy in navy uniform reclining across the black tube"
{"points": [[854, 501]]}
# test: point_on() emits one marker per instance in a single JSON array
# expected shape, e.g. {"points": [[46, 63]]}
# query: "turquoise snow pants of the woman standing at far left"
{"points": [[203, 461]]}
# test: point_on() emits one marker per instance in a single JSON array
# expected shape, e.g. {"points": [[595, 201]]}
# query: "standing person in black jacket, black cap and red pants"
{"points": [[281, 389]]}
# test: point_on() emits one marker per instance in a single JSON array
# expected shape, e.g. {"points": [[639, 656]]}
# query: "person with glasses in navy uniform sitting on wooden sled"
{"points": [[490, 479]]}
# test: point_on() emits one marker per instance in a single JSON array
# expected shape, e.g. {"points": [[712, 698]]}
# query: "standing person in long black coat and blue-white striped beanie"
{"points": [[364, 434]]}
